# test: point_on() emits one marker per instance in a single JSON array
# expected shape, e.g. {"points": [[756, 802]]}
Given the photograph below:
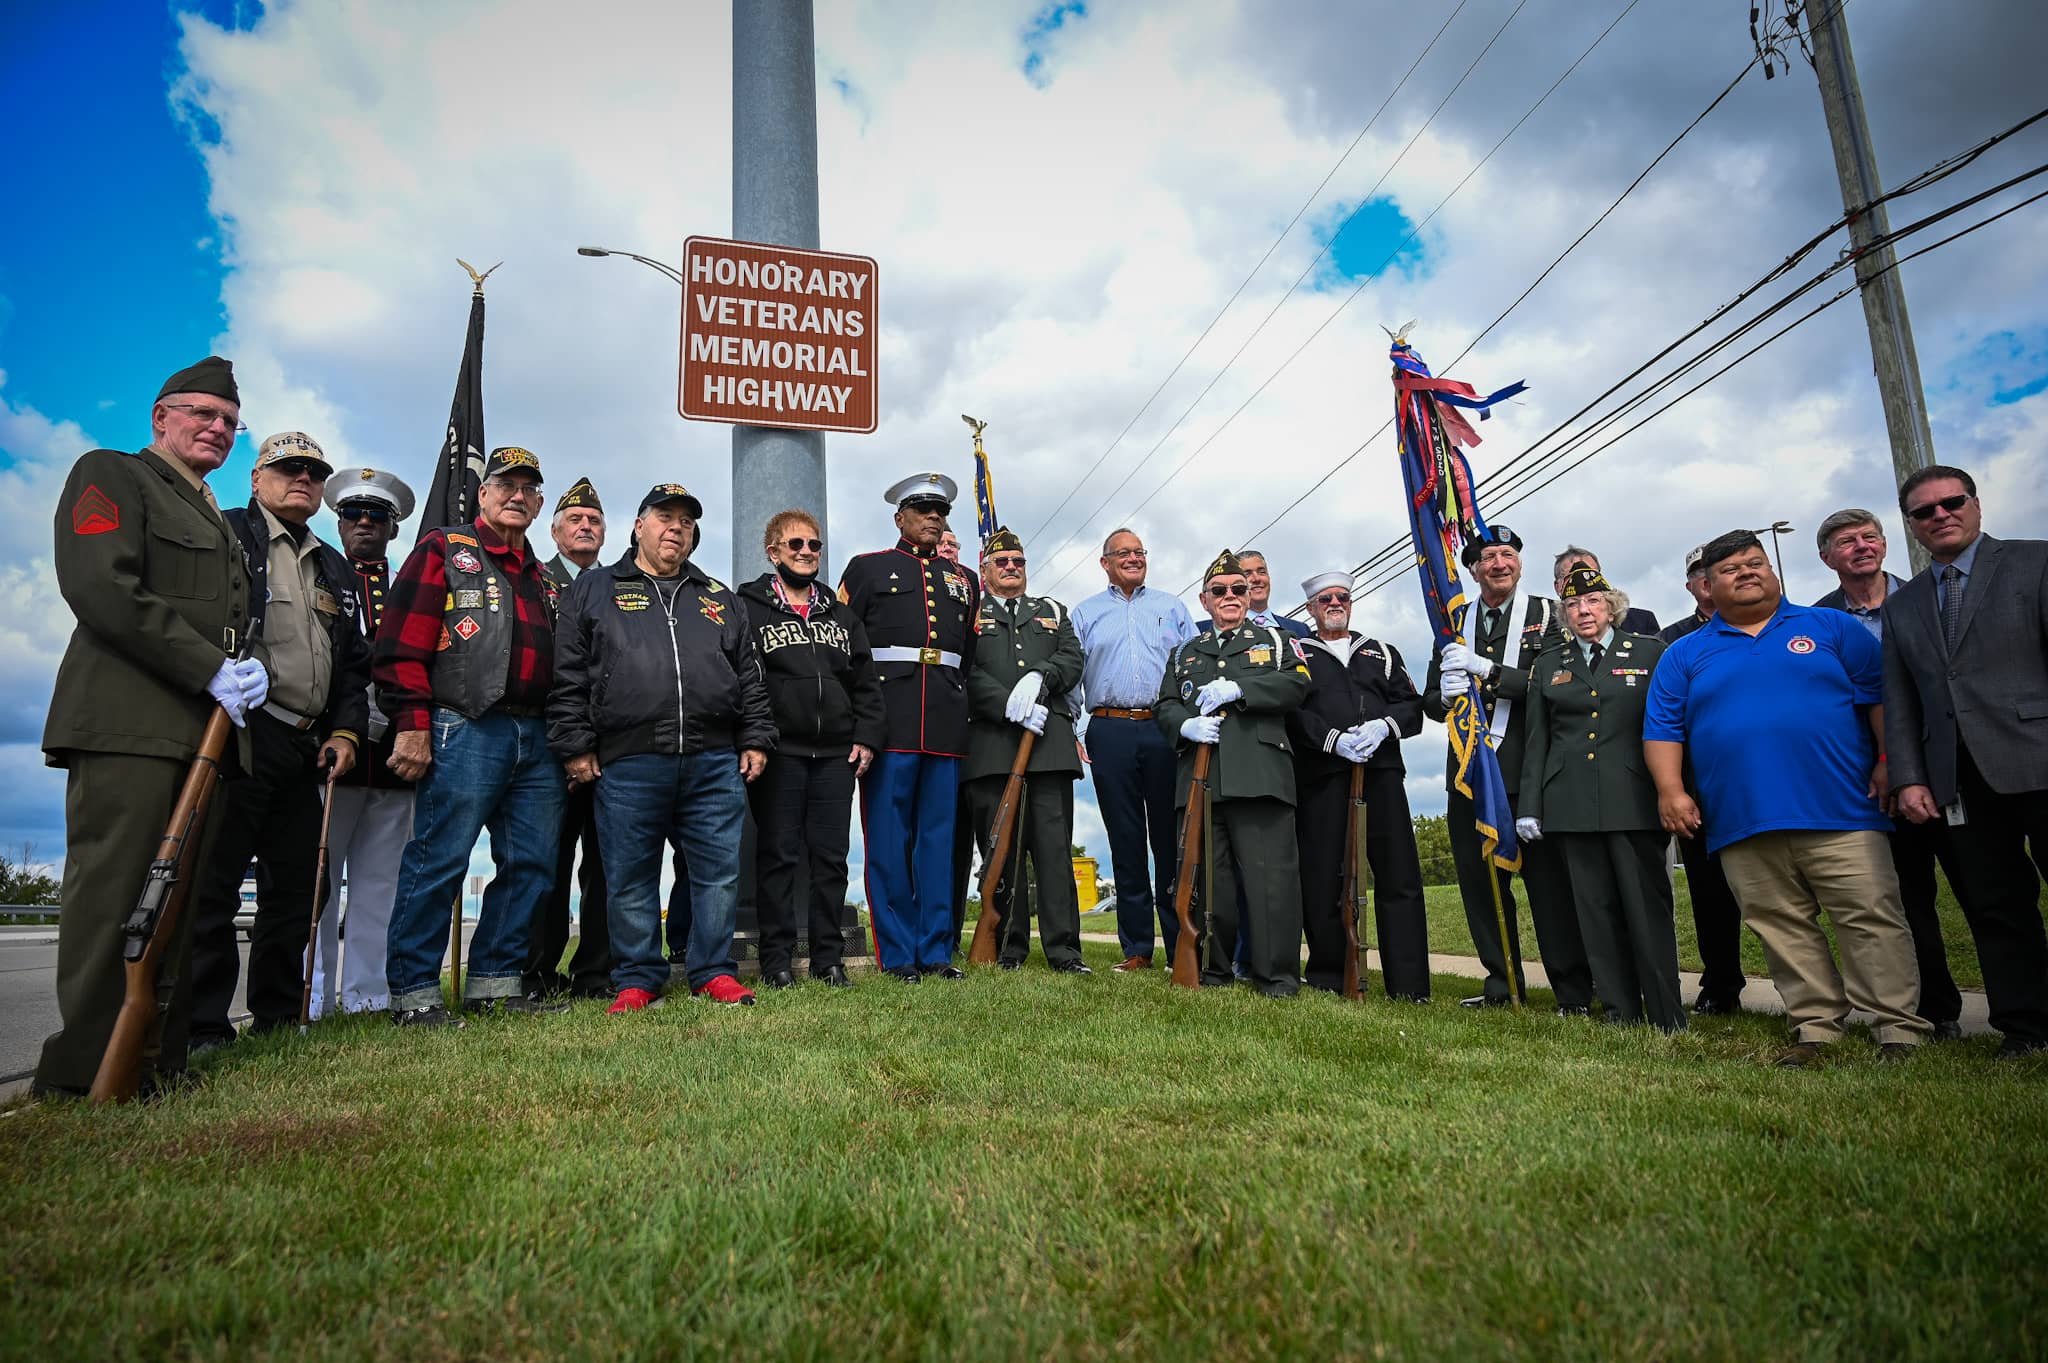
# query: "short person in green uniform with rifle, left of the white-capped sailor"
{"points": [[1234, 689]]}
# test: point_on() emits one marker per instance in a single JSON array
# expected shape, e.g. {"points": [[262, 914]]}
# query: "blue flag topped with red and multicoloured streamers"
{"points": [[1443, 519]]}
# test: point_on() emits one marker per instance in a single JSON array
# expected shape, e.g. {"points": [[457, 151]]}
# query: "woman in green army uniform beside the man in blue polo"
{"points": [[1584, 783]]}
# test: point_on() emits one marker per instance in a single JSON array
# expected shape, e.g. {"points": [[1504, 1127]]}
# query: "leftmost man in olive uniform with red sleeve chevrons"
{"points": [[161, 595]]}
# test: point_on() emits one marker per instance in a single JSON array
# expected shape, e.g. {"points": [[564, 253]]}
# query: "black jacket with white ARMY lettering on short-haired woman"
{"points": [[820, 674]]}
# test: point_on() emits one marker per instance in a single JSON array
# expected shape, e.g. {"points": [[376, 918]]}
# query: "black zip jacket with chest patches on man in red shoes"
{"points": [[646, 672]]}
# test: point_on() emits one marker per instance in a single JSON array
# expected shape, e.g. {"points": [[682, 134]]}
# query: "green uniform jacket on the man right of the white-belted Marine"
{"points": [[1031, 633]]}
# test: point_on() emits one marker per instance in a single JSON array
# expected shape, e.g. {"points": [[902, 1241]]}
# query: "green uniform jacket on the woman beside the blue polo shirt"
{"points": [[1582, 746]]}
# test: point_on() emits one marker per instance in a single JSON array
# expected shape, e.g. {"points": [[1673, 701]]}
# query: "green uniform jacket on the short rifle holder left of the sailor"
{"points": [[1254, 756]]}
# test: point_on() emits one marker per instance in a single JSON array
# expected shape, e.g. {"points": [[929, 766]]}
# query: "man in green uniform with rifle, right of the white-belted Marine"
{"points": [[1027, 664]]}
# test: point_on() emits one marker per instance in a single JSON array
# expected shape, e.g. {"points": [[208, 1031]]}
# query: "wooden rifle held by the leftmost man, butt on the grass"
{"points": [[155, 920]]}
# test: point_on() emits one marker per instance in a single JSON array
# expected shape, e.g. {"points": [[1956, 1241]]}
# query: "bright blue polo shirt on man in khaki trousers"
{"points": [[1770, 723]]}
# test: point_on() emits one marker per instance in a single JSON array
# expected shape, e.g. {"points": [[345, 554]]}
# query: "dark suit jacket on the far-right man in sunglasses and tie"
{"points": [[1992, 695]]}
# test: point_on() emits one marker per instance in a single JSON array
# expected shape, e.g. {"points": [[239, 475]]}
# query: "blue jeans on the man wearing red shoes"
{"points": [[646, 803]]}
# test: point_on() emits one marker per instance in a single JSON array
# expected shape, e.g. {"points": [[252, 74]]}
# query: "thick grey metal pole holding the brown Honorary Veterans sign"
{"points": [[775, 200]]}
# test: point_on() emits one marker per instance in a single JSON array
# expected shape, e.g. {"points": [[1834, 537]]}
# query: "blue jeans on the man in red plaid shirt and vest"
{"points": [[493, 773]]}
